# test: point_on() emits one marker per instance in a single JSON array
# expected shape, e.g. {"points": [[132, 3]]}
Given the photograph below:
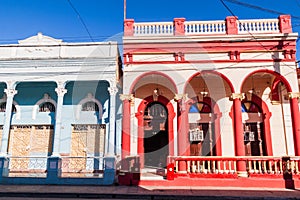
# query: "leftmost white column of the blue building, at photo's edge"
{"points": [[10, 93]]}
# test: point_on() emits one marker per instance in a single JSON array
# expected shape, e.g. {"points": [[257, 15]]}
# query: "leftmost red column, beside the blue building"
{"points": [[126, 128]]}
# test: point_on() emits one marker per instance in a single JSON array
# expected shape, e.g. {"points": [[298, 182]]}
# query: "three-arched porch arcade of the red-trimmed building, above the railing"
{"points": [[209, 118]]}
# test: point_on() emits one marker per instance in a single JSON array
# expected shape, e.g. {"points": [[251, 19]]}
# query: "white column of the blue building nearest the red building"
{"points": [[112, 120]]}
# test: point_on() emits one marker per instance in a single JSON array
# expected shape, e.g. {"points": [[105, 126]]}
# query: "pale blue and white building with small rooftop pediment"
{"points": [[59, 99]]}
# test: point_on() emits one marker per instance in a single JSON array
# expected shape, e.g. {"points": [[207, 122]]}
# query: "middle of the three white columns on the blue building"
{"points": [[60, 99]]}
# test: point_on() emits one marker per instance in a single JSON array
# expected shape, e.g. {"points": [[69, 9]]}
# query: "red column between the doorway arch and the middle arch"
{"points": [[183, 129]]}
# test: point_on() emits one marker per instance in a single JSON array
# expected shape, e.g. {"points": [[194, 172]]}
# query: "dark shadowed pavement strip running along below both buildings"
{"points": [[149, 192]]}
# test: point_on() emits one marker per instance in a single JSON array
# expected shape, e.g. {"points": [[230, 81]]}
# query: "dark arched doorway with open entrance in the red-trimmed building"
{"points": [[156, 148]]}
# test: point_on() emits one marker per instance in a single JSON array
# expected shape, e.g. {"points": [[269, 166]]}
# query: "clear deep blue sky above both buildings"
{"points": [[101, 20]]}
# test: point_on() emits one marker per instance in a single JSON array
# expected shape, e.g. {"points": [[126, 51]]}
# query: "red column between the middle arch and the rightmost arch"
{"points": [[239, 132]]}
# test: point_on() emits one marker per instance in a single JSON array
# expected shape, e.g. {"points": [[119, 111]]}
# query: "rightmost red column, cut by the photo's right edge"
{"points": [[295, 121]]}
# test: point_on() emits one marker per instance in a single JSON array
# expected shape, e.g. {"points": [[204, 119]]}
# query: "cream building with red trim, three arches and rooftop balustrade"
{"points": [[211, 99]]}
